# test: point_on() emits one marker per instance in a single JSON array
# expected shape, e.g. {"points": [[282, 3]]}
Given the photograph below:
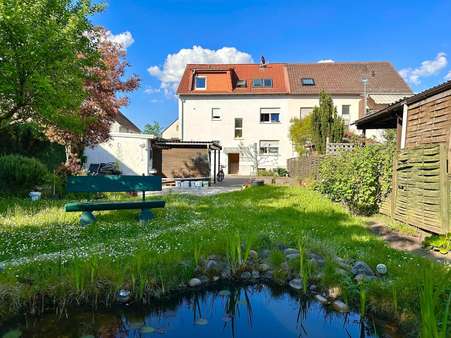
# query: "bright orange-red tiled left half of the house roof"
{"points": [[276, 71]]}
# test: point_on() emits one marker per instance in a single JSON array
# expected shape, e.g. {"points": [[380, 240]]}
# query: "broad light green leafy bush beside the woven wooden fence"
{"points": [[360, 179]]}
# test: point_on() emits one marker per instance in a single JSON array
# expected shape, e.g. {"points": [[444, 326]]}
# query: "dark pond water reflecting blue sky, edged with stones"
{"points": [[251, 311]]}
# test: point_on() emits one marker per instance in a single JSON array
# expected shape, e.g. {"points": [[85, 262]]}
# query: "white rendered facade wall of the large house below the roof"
{"points": [[197, 124]]}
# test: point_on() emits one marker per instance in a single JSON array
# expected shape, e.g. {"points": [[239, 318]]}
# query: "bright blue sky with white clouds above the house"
{"points": [[414, 35]]}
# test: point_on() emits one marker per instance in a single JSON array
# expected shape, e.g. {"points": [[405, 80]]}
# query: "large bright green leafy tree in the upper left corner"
{"points": [[44, 54]]}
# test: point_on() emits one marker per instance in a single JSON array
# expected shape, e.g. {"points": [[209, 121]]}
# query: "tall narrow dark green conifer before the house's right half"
{"points": [[326, 123]]}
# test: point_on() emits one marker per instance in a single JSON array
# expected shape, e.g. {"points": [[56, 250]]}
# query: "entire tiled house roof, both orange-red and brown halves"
{"points": [[335, 78]]}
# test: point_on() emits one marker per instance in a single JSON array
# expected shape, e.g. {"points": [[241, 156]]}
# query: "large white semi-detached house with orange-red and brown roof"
{"points": [[247, 108]]}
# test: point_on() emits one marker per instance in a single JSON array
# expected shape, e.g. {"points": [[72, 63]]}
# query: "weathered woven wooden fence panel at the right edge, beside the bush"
{"points": [[421, 189]]}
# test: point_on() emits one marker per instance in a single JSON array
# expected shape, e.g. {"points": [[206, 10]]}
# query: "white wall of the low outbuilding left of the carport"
{"points": [[131, 151]]}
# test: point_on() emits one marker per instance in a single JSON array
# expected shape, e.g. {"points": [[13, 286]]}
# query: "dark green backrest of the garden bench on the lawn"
{"points": [[113, 183]]}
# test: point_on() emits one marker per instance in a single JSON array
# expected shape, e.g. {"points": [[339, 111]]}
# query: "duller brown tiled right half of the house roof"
{"points": [[346, 78]]}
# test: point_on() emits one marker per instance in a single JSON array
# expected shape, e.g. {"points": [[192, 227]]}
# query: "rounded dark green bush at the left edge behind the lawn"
{"points": [[20, 175]]}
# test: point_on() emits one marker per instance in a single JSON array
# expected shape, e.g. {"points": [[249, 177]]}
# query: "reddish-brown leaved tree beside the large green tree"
{"points": [[102, 104]]}
